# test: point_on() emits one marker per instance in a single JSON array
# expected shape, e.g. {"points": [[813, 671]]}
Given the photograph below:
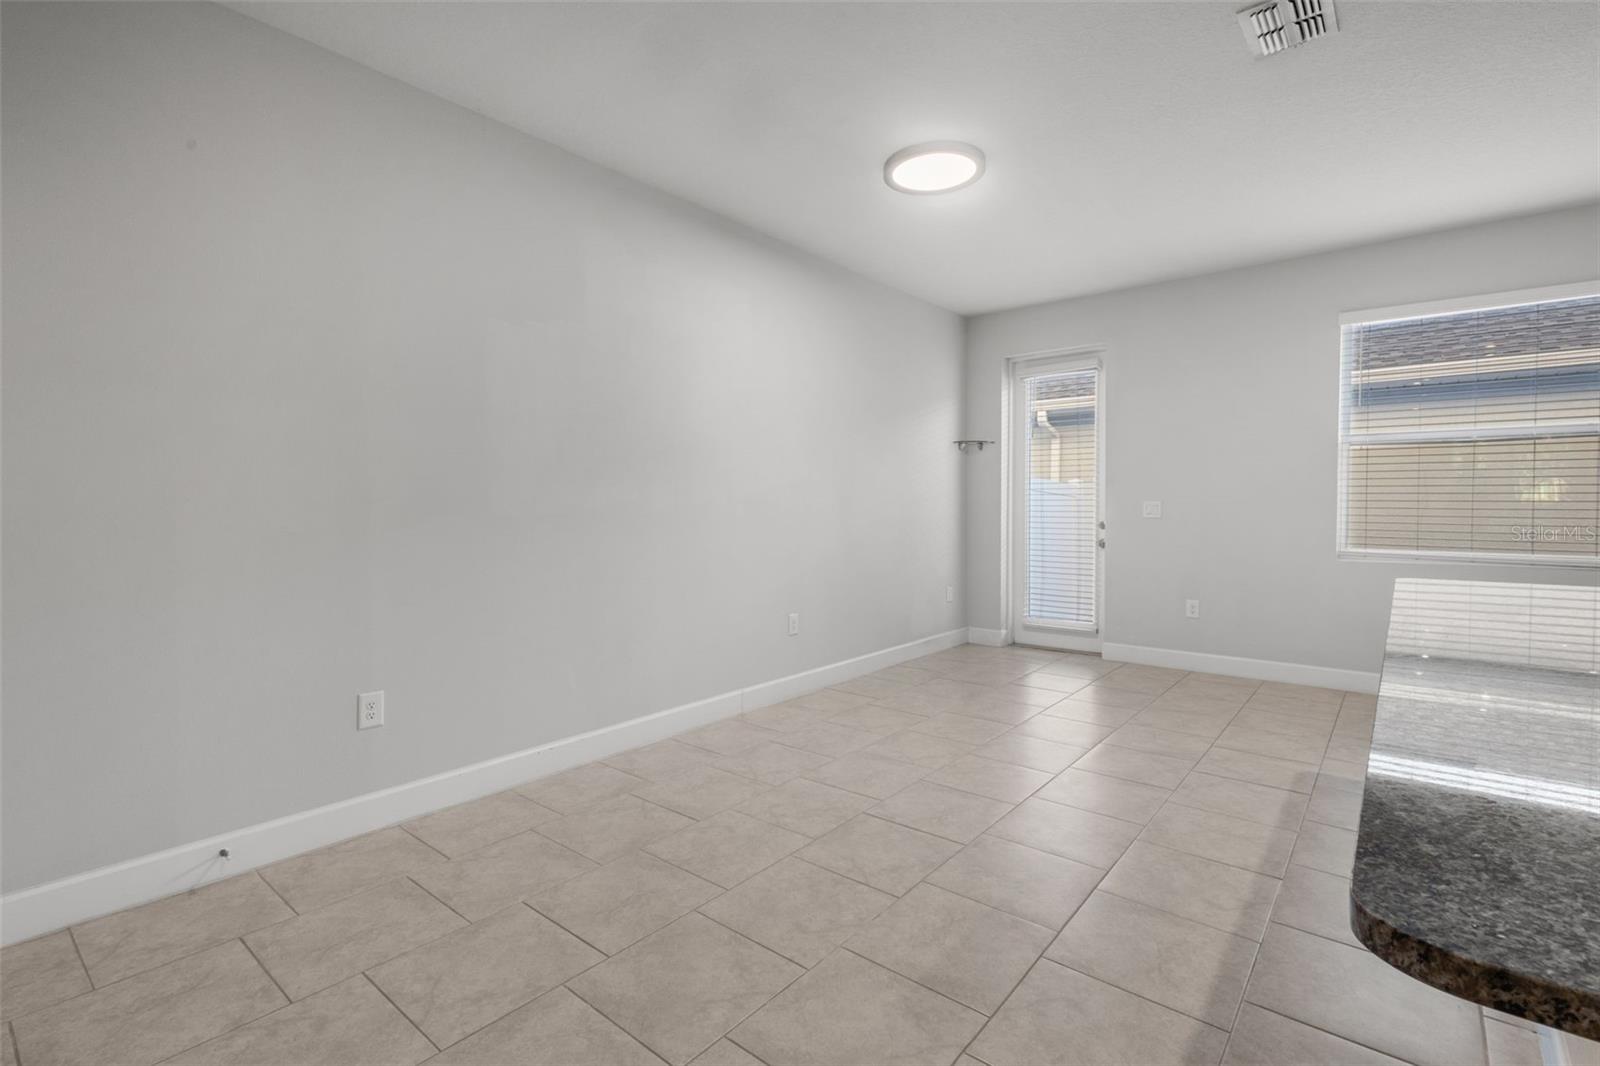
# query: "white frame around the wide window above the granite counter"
{"points": [[1489, 302]]}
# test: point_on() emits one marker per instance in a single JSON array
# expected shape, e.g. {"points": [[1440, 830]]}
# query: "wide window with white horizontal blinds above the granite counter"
{"points": [[1474, 431]]}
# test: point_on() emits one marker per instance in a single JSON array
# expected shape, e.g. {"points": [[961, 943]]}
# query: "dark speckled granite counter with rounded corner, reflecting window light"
{"points": [[1478, 867]]}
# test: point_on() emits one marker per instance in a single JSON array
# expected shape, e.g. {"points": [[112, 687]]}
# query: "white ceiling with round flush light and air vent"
{"points": [[1127, 142]]}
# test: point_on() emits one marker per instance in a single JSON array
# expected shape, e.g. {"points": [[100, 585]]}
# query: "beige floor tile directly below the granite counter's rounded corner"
{"points": [[1354, 995]]}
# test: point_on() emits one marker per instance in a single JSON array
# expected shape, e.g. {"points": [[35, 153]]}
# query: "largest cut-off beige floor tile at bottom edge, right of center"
{"points": [[1060, 1017]]}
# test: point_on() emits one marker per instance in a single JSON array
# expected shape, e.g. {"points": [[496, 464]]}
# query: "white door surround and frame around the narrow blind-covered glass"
{"points": [[1015, 495]]}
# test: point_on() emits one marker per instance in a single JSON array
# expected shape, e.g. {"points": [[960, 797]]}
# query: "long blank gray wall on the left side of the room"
{"points": [[316, 385]]}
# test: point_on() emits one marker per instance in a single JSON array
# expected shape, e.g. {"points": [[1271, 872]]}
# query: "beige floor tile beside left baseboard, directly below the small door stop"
{"points": [[143, 939]]}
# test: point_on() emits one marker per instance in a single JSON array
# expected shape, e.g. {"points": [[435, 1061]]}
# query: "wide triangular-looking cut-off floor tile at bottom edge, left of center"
{"points": [[556, 1030]]}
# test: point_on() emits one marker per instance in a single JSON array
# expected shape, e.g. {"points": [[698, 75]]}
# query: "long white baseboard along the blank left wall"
{"points": [[47, 908]]}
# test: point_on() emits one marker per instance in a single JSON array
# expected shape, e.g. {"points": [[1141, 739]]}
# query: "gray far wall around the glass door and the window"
{"points": [[1223, 404]]}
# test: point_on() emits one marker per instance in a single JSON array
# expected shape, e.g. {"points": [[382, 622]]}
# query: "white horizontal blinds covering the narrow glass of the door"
{"points": [[1063, 470]]}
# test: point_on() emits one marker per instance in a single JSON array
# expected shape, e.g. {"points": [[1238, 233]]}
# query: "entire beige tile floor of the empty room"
{"points": [[988, 856]]}
